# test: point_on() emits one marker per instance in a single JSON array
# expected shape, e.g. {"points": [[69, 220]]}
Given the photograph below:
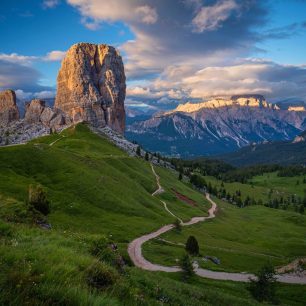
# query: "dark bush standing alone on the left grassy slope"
{"points": [[38, 200]]}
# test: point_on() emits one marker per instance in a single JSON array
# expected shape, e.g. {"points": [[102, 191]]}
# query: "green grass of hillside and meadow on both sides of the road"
{"points": [[96, 190]]}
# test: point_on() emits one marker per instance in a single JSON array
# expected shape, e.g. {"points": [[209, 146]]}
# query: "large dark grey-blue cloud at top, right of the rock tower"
{"points": [[193, 31]]}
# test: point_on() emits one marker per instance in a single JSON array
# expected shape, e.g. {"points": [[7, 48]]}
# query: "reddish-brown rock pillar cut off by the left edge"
{"points": [[8, 108]]}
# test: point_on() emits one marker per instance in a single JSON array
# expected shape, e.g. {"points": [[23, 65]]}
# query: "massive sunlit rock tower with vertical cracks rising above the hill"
{"points": [[91, 86]]}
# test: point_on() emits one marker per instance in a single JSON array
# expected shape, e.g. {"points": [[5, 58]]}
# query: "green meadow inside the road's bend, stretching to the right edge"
{"points": [[254, 235]]}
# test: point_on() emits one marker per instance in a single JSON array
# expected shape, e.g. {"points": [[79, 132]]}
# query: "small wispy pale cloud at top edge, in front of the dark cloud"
{"points": [[210, 18]]}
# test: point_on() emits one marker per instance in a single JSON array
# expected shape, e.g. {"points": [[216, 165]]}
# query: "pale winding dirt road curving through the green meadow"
{"points": [[135, 250]]}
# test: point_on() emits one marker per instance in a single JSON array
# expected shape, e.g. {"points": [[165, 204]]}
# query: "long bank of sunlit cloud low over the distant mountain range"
{"points": [[246, 76]]}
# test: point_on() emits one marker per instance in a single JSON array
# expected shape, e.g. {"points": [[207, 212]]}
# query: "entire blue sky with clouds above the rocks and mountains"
{"points": [[173, 51]]}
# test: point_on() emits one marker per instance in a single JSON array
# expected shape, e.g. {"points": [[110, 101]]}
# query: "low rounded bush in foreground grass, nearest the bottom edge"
{"points": [[99, 275]]}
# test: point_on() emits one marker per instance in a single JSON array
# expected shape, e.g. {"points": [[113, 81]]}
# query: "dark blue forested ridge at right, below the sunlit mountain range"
{"points": [[280, 152]]}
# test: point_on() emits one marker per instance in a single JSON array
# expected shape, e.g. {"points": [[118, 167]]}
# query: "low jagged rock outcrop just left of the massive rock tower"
{"points": [[38, 113]]}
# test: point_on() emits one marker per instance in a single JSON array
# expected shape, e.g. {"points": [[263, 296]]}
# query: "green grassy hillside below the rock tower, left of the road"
{"points": [[97, 193]]}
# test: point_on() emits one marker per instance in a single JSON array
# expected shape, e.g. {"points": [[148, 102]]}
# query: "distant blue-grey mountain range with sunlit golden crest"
{"points": [[218, 126]]}
